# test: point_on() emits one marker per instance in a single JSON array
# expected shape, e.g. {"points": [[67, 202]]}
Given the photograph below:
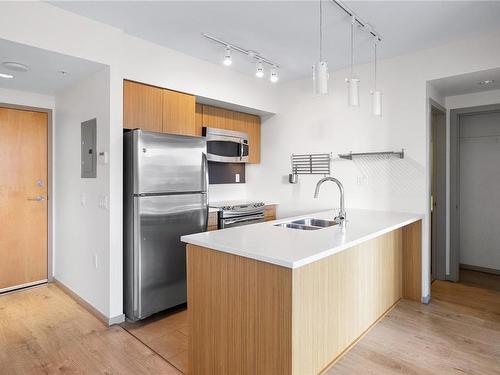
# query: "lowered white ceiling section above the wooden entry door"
{"points": [[43, 76]]}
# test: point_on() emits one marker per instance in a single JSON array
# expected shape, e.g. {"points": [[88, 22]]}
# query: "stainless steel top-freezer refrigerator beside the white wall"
{"points": [[165, 197]]}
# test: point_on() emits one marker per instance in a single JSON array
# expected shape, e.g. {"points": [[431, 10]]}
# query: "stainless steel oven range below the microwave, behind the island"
{"points": [[241, 214]]}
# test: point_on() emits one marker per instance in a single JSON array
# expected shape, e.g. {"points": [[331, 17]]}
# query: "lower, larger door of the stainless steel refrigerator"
{"points": [[160, 256]]}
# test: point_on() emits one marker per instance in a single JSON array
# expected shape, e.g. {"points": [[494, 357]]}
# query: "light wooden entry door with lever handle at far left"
{"points": [[23, 198]]}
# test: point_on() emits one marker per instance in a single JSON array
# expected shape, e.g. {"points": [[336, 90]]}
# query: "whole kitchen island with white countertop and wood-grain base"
{"points": [[267, 299]]}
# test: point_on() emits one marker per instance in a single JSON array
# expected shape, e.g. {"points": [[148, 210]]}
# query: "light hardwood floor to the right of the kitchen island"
{"points": [[457, 333]]}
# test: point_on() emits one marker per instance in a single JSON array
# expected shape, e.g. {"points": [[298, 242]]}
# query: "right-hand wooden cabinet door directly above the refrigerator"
{"points": [[179, 113]]}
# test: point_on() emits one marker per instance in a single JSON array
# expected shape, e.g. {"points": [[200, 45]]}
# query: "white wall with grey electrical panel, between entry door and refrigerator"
{"points": [[82, 228]]}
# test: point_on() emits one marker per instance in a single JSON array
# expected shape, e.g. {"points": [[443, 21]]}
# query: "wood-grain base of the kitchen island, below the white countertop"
{"points": [[252, 317]]}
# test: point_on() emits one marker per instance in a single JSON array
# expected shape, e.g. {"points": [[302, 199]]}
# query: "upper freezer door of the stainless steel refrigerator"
{"points": [[166, 163]]}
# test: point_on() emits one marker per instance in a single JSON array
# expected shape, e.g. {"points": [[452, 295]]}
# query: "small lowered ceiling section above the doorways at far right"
{"points": [[467, 83]]}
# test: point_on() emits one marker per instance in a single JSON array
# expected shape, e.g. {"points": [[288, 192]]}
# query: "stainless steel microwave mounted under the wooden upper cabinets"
{"points": [[226, 146]]}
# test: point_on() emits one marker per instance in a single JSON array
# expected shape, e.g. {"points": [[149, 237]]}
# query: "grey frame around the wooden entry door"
{"points": [[50, 184]]}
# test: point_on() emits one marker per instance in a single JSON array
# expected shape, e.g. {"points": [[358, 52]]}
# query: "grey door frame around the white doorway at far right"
{"points": [[455, 181]]}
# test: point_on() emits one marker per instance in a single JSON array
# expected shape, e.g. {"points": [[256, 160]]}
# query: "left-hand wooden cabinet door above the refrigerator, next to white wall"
{"points": [[142, 106]]}
